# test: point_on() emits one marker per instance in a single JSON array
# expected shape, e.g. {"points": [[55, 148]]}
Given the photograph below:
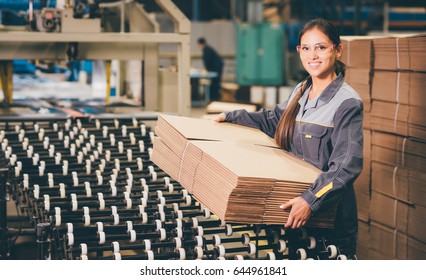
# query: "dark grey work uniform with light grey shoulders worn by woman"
{"points": [[328, 134]]}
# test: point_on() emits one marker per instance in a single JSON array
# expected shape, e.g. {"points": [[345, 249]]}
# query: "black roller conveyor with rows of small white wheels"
{"points": [[90, 191]]}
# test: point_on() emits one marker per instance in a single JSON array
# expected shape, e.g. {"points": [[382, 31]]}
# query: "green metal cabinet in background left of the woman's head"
{"points": [[260, 54]]}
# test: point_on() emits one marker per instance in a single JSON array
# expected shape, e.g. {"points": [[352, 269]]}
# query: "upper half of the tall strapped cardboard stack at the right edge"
{"points": [[398, 85]]}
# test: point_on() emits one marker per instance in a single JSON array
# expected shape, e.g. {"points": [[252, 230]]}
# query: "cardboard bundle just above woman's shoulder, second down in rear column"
{"points": [[360, 80]]}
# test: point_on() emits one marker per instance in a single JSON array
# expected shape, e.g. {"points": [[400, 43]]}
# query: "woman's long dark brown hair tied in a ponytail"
{"points": [[285, 128]]}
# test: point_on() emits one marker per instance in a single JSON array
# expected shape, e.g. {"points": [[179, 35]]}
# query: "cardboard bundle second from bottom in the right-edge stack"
{"points": [[408, 219]]}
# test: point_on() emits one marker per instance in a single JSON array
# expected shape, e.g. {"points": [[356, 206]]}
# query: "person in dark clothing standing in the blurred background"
{"points": [[213, 63]]}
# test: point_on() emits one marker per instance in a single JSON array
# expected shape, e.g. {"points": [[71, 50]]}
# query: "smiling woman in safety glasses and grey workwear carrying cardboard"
{"points": [[321, 123]]}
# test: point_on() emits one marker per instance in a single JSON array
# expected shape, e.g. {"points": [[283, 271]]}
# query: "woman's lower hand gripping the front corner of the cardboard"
{"points": [[299, 212]]}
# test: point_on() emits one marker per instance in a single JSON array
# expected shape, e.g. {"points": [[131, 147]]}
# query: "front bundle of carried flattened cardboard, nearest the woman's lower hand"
{"points": [[235, 189]]}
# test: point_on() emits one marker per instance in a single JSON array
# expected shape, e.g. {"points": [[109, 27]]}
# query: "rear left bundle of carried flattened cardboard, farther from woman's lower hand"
{"points": [[174, 136]]}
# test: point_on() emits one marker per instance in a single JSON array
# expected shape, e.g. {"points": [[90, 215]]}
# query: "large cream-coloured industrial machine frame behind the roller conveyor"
{"points": [[106, 31]]}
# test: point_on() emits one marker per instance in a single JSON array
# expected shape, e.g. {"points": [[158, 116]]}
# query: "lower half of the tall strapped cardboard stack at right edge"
{"points": [[398, 185]]}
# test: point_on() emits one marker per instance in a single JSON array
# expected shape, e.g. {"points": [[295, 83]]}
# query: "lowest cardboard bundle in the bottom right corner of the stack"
{"points": [[386, 243]]}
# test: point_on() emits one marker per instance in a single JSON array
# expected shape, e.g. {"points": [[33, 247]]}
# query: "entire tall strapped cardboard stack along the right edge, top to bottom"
{"points": [[398, 148]]}
